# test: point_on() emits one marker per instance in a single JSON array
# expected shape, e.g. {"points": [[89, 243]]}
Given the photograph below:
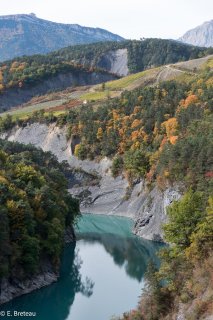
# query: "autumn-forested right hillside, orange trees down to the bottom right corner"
{"points": [[164, 135]]}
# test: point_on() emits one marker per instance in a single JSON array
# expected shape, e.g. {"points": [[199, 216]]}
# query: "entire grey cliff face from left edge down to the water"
{"points": [[94, 185]]}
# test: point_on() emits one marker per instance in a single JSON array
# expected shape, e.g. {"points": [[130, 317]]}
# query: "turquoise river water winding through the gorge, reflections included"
{"points": [[101, 277]]}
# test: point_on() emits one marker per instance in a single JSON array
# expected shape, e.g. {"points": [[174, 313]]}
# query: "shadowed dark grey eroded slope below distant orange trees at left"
{"points": [[16, 96]]}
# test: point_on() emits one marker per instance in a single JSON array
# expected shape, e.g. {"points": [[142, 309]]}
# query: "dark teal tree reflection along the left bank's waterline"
{"points": [[54, 301]]}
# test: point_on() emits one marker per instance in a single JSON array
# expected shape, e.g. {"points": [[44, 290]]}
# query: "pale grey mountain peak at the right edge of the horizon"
{"points": [[200, 36]]}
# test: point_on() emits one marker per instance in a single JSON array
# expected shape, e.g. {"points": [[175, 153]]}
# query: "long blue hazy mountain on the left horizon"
{"points": [[25, 34]]}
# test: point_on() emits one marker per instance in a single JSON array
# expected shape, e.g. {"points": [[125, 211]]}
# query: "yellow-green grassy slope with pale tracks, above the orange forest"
{"points": [[184, 71]]}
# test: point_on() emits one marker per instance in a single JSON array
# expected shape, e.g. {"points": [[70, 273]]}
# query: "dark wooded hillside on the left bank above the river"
{"points": [[35, 210]]}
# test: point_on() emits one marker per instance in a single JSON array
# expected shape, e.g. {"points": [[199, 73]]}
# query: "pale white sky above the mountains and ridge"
{"points": [[132, 19]]}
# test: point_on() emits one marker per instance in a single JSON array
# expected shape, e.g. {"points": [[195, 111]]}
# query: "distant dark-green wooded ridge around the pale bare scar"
{"points": [[142, 54]]}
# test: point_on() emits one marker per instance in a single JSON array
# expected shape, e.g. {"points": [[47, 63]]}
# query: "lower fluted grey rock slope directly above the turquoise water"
{"points": [[114, 197]]}
